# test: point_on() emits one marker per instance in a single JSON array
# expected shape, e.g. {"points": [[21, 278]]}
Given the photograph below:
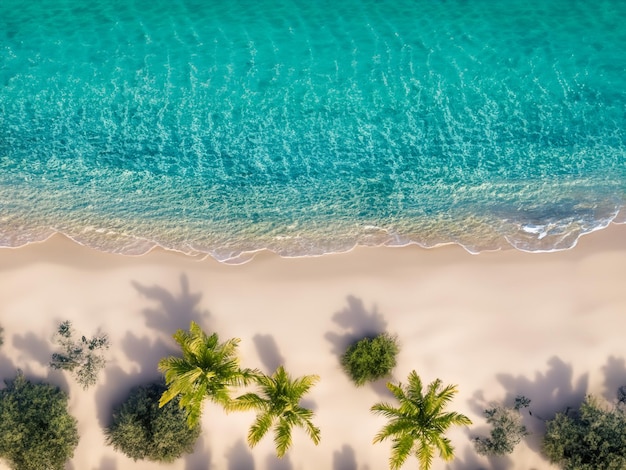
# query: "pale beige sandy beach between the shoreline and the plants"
{"points": [[550, 326]]}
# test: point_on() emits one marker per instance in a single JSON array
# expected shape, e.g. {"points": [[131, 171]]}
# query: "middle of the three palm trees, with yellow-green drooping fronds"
{"points": [[279, 406]]}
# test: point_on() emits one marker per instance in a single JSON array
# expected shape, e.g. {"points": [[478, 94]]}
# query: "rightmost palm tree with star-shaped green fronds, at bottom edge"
{"points": [[418, 424]]}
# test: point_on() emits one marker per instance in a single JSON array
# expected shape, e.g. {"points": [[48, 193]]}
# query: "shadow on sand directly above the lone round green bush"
{"points": [[357, 323]]}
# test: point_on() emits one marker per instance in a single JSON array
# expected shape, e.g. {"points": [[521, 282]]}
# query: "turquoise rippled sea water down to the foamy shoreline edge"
{"points": [[310, 127]]}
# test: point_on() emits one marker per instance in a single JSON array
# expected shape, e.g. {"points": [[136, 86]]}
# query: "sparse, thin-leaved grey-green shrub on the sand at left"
{"points": [[80, 357]]}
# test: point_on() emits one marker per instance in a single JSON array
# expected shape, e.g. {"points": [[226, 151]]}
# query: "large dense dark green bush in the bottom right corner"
{"points": [[590, 439]]}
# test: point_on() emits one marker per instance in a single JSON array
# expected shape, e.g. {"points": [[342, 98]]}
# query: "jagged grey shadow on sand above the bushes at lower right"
{"points": [[551, 393]]}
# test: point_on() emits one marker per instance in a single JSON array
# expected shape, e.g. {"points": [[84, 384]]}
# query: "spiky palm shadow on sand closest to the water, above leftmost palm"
{"points": [[173, 312]]}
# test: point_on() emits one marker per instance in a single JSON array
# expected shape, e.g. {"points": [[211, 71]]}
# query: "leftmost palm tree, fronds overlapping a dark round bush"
{"points": [[208, 369]]}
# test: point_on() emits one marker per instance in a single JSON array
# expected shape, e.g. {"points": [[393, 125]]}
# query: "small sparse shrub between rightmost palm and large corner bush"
{"points": [[507, 430]]}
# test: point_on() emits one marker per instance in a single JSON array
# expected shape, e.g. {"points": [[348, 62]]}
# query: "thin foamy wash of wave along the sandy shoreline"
{"points": [[530, 235]]}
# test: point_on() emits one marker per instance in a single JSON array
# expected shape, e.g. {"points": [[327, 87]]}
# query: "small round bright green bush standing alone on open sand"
{"points": [[370, 358]]}
